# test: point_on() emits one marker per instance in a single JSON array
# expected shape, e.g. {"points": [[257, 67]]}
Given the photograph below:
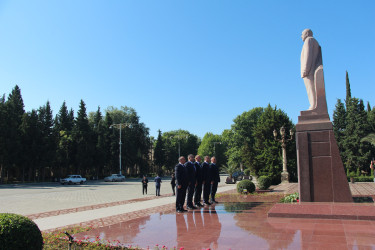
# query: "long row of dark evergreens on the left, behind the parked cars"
{"points": [[35, 146]]}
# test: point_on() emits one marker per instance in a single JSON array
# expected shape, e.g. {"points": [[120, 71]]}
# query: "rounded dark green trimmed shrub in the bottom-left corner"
{"points": [[19, 232]]}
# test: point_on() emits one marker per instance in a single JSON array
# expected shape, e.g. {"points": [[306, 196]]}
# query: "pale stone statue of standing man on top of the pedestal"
{"points": [[311, 59]]}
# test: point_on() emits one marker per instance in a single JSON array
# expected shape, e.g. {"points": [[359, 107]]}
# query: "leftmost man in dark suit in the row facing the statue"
{"points": [[181, 178]]}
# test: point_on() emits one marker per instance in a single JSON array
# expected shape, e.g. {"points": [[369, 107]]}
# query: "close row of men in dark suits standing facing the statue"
{"points": [[192, 178]]}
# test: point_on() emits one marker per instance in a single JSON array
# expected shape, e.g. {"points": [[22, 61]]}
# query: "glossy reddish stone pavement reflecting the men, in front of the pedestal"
{"points": [[237, 222]]}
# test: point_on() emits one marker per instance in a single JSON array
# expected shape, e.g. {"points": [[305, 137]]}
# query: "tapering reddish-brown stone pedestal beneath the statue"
{"points": [[321, 174]]}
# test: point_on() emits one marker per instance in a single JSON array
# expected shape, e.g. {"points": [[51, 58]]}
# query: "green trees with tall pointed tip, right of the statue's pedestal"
{"points": [[351, 123]]}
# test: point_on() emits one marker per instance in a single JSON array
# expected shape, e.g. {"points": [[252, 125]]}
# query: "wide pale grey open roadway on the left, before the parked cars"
{"points": [[33, 198]]}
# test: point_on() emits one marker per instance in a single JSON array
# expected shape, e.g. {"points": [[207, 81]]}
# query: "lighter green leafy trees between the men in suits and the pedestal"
{"points": [[248, 144]]}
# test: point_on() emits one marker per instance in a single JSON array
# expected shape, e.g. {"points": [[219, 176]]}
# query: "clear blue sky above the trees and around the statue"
{"points": [[193, 65]]}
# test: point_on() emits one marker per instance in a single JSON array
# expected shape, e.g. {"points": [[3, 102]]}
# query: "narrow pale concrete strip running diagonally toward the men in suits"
{"points": [[63, 220]]}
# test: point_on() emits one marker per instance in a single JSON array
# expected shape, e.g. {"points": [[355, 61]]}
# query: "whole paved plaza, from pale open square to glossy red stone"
{"points": [[118, 212]]}
